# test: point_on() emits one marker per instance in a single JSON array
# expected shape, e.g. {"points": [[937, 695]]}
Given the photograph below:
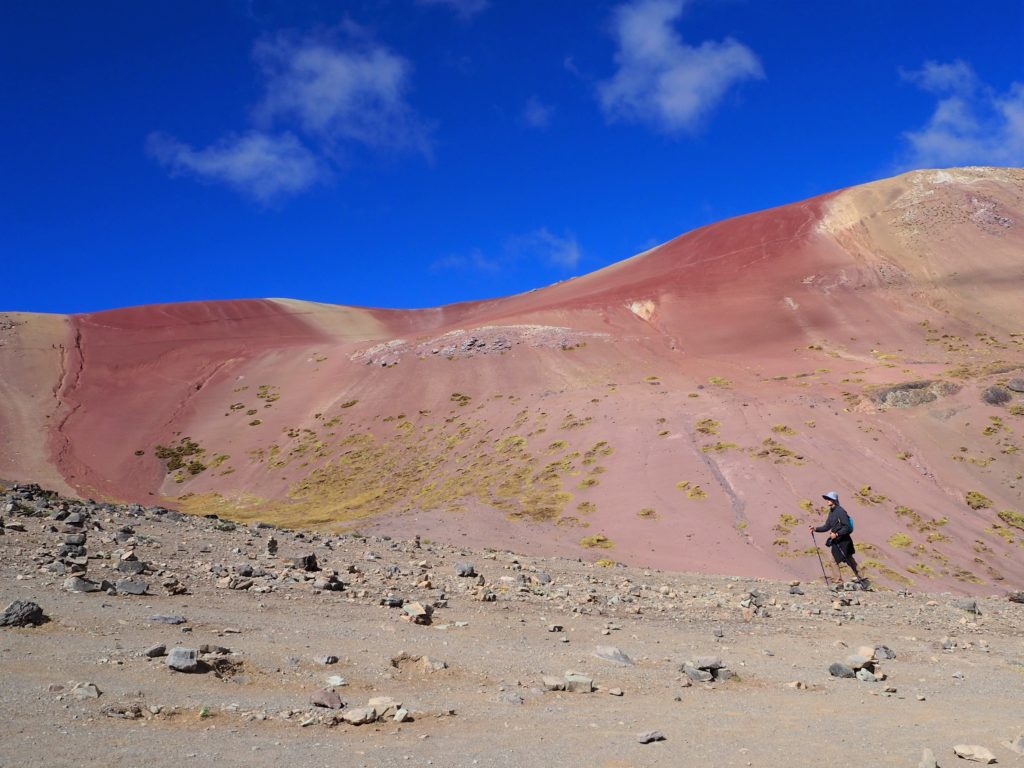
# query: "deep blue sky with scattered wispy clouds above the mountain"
{"points": [[415, 153]]}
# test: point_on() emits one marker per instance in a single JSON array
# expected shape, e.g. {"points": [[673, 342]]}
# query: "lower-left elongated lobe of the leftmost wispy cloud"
{"points": [[268, 167]]}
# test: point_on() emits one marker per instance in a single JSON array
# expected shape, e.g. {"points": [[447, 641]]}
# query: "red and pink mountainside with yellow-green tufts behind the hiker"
{"points": [[684, 409]]}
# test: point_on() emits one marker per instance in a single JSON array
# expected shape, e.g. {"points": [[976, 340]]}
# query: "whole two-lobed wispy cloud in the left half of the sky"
{"points": [[335, 97]]}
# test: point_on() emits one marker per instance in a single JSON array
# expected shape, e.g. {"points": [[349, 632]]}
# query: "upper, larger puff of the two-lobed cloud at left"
{"points": [[339, 96]]}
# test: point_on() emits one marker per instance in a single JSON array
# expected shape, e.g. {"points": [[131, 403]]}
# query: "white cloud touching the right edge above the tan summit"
{"points": [[972, 123]]}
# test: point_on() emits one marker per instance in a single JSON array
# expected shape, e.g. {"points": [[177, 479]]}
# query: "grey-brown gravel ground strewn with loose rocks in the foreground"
{"points": [[168, 641]]}
